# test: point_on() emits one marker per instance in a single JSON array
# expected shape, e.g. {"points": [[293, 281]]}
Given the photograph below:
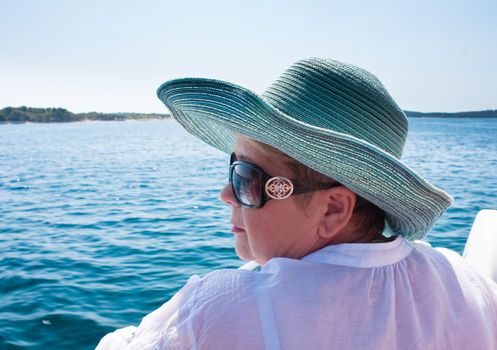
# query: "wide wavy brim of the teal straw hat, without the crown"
{"points": [[215, 111]]}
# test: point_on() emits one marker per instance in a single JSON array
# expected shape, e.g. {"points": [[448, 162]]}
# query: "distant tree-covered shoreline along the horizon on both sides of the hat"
{"points": [[18, 115]]}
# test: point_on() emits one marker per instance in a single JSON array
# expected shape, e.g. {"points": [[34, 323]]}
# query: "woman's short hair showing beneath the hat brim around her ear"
{"points": [[367, 216]]}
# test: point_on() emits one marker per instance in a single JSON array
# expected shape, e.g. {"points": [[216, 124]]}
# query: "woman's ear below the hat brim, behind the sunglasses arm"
{"points": [[338, 207]]}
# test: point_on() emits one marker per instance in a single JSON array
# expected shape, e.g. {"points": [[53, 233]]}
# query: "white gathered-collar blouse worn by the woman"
{"points": [[395, 295]]}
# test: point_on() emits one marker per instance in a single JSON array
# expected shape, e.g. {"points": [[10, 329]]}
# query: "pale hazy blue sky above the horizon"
{"points": [[111, 56]]}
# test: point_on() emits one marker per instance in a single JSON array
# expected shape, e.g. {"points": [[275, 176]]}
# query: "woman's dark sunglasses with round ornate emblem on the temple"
{"points": [[252, 187]]}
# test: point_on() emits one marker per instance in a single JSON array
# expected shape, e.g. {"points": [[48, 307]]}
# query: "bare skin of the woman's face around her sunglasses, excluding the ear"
{"points": [[281, 228]]}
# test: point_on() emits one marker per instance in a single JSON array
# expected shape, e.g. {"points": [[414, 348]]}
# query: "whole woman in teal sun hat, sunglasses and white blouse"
{"points": [[320, 199]]}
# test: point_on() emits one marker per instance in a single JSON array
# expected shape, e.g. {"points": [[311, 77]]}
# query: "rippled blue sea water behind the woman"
{"points": [[101, 222]]}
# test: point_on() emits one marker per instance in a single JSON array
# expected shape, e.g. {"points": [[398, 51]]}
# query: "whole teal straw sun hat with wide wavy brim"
{"points": [[334, 117]]}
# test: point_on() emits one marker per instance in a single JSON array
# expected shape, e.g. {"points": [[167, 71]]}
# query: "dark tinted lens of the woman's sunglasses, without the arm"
{"points": [[247, 184]]}
